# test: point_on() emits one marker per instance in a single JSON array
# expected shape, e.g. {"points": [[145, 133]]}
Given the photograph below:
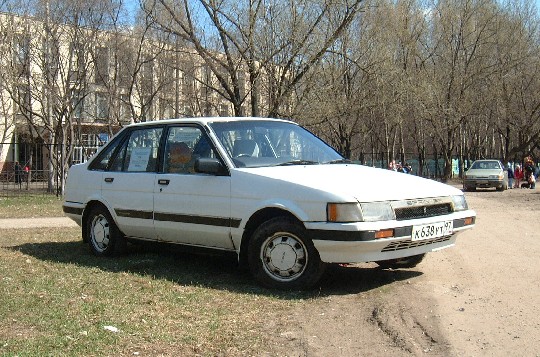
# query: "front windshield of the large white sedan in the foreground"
{"points": [[257, 143]]}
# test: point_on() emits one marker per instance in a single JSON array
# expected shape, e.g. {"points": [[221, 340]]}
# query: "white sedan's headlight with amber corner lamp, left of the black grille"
{"points": [[359, 212]]}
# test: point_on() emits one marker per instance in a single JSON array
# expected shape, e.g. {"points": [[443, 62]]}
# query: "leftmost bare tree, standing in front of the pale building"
{"points": [[47, 77]]}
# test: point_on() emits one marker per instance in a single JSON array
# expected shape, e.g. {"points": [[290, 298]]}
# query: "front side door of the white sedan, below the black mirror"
{"points": [[189, 207]]}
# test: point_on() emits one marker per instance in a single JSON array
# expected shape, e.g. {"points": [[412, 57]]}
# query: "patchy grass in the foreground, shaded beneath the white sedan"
{"points": [[56, 299]]}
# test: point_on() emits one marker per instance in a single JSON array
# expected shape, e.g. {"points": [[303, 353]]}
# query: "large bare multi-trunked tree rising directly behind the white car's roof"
{"points": [[233, 40]]}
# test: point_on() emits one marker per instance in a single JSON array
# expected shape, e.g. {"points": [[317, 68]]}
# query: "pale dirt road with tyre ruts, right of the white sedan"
{"points": [[479, 298]]}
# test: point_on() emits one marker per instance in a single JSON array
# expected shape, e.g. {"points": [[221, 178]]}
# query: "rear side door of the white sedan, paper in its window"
{"points": [[128, 184]]}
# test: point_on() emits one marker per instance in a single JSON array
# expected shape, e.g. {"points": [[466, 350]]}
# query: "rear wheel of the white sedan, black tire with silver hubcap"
{"points": [[103, 235]]}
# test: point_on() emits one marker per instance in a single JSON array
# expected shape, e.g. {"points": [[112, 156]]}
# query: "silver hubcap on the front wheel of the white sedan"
{"points": [[284, 256]]}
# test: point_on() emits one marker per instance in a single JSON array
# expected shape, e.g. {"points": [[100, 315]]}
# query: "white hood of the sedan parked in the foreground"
{"points": [[351, 181]]}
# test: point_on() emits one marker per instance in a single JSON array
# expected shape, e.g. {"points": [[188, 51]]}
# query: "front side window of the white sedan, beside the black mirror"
{"points": [[184, 145]]}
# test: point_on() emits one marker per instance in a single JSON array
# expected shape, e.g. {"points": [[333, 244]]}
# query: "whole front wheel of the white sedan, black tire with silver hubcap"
{"points": [[280, 256]]}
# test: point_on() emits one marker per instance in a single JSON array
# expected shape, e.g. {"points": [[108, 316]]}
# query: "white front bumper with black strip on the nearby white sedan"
{"points": [[356, 244]]}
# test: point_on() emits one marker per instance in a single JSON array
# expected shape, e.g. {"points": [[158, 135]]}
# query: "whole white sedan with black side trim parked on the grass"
{"points": [[267, 189]]}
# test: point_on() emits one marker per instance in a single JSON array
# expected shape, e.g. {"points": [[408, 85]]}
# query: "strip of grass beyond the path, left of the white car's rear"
{"points": [[30, 206]]}
